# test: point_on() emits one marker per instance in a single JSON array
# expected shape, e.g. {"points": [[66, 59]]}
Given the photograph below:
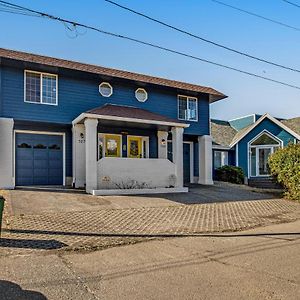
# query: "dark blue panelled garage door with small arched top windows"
{"points": [[39, 159]]}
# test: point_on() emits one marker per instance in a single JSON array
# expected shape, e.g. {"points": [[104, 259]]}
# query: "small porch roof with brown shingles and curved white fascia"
{"points": [[129, 114]]}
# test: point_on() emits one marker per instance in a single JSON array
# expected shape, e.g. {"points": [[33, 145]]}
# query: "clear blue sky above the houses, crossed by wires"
{"points": [[246, 95]]}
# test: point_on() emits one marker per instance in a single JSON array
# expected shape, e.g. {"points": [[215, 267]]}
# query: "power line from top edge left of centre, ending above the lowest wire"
{"points": [[201, 38]]}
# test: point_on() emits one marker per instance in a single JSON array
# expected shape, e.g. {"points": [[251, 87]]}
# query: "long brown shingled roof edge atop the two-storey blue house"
{"points": [[62, 63]]}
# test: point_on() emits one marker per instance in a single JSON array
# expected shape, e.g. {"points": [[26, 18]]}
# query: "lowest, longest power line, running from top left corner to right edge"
{"points": [[76, 24]]}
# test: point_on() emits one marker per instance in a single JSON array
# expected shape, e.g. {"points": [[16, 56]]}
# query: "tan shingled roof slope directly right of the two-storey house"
{"points": [[222, 132]]}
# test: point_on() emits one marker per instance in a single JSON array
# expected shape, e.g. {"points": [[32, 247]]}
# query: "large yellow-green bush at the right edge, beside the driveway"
{"points": [[284, 165]]}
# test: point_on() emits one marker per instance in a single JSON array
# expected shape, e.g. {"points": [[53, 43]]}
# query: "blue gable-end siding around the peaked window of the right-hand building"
{"points": [[268, 125]]}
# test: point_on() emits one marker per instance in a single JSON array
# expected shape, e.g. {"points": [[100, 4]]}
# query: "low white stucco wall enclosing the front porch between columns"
{"points": [[120, 173]]}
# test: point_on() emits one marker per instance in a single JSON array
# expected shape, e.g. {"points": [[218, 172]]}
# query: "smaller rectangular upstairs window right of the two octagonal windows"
{"points": [[187, 108]]}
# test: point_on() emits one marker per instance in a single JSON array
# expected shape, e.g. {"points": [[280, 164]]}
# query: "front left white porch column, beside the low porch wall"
{"points": [[91, 154]]}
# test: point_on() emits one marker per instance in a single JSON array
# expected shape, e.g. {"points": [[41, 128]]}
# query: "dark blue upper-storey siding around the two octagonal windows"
{"points": [[77, 95]]}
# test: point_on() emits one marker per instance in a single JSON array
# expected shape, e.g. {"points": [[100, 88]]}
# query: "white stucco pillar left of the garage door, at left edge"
{"points": [[6, 153]]}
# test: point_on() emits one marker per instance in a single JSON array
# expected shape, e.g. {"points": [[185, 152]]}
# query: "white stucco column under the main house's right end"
{"points": [[205, 159]]}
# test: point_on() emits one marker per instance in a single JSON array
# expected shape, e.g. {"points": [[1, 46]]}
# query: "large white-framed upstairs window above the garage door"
{"points": [[40, 88]]}
